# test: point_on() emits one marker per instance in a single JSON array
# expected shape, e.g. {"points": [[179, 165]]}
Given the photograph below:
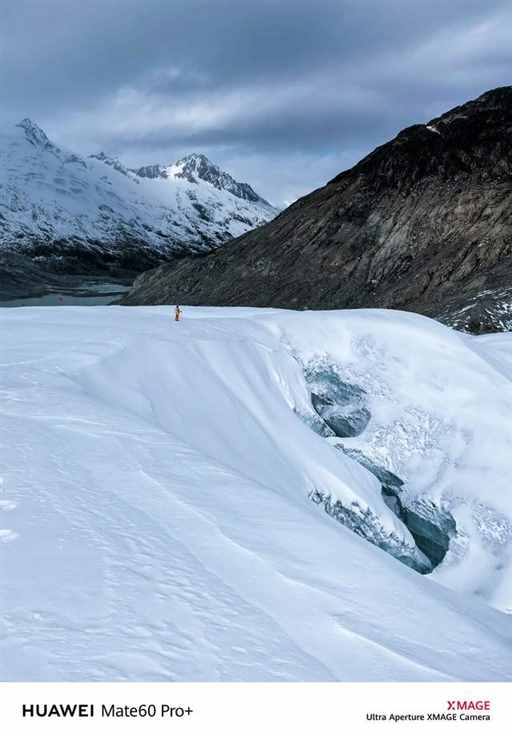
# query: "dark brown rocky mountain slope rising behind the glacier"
{"points": [[422, 223]]}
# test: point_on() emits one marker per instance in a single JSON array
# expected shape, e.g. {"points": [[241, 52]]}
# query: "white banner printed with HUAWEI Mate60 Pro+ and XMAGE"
{"points": [[250, 710]]}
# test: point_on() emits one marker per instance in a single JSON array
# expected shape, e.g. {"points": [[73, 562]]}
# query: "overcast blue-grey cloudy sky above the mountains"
{"points": [[282, 93]]}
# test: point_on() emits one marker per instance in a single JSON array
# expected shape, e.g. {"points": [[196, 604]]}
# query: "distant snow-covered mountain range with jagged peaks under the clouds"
{"points": [[53, 202]]}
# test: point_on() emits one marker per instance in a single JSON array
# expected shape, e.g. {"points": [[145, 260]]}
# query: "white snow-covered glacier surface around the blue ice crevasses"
{"points": [[156, 520]]}
